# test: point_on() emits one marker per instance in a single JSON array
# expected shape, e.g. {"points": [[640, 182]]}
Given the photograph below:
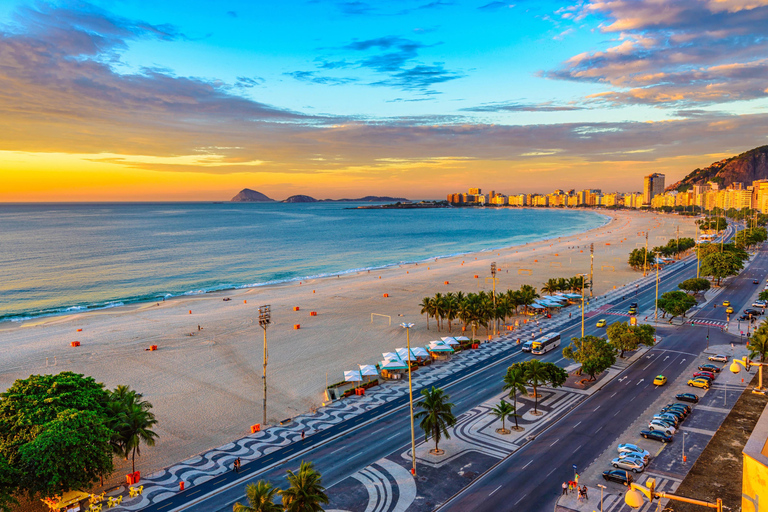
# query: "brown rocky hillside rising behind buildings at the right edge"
{"points": [[745, 168]]}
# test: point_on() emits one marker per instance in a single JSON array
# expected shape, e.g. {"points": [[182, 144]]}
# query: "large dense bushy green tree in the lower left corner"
{"points": [[42, 414]]}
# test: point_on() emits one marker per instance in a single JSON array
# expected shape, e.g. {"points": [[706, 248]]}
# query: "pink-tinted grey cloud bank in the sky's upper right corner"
{"points": [[681, 54]]}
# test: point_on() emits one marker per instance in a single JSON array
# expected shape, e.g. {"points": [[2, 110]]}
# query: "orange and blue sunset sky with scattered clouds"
{"points": [[194, 100]]}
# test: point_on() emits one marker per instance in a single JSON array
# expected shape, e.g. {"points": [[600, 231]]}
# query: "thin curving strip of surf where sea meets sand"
{"points": [[78, 309]]}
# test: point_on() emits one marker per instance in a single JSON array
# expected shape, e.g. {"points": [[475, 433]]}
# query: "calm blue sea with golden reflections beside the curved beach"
{"points": [[59, 258]]}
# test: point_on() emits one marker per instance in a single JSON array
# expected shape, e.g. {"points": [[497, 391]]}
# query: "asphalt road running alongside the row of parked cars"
{"points": [[530, 479]]}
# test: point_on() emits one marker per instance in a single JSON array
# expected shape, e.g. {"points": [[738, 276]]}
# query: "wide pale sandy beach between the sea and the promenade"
{"points": [[206, 385]]}
